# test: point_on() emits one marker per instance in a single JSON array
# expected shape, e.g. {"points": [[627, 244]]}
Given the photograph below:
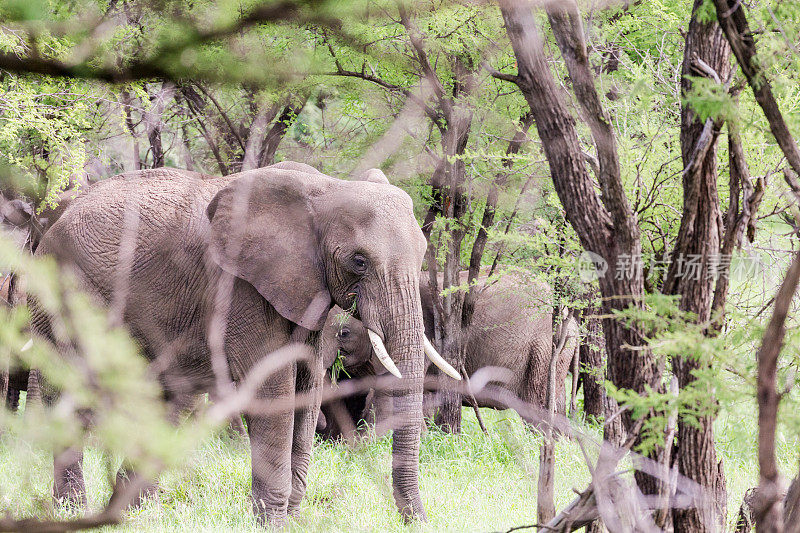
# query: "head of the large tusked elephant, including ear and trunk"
{"points": [[306, 241]]}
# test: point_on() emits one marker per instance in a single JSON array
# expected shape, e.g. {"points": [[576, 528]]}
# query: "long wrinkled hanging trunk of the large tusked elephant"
{"points": [[404, 333]]}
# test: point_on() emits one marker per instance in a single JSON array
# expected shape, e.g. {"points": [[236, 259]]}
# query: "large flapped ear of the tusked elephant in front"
{"points": [[263, 231]]}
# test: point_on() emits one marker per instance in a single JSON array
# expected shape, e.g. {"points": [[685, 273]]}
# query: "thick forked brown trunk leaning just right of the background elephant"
{"points": [[606, 226]]}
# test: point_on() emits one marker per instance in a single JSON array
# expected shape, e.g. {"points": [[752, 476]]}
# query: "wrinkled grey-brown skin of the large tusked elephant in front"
{"points": [[303, 242]]}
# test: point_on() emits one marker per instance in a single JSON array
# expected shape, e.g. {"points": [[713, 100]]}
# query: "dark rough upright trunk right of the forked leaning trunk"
{"points": [[698, 238]]}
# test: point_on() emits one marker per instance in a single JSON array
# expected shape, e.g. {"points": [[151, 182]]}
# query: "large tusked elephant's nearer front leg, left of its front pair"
{"points": [[271, 447]]}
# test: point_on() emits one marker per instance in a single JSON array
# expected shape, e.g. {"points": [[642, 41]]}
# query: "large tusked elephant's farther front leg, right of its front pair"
{"points": [[309, 393]]}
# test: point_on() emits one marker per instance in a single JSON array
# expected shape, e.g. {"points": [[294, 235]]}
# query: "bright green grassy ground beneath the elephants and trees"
{"points": [[470, 482]]}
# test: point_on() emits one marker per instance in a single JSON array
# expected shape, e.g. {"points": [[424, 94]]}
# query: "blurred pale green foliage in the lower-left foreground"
{"points": [[95, 371]]}
